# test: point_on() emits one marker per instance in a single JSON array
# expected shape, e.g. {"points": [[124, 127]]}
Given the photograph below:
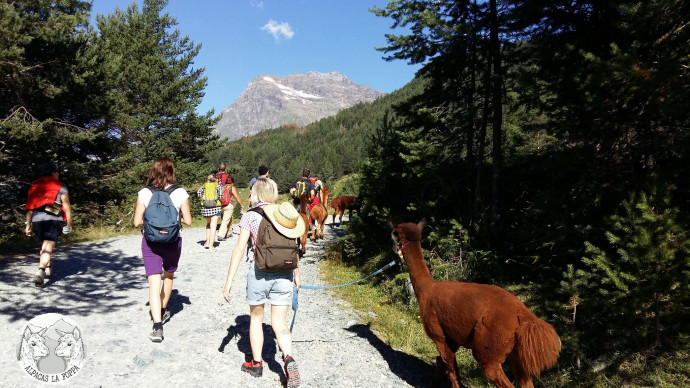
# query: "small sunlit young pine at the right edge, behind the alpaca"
{"points": [[637, 285]]}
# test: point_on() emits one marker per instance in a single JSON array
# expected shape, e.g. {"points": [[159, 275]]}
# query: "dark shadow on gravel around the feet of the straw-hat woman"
{"points": [[241, 329]]}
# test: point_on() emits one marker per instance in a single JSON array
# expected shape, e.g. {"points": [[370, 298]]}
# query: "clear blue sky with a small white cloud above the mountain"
{"points": [[242, 39]]}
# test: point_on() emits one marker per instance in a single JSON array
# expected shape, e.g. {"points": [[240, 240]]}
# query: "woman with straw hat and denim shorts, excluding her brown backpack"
{"points": [[274, 288]]}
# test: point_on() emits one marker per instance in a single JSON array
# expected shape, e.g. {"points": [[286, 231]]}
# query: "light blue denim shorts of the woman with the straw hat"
{"points": [[263, 287]]}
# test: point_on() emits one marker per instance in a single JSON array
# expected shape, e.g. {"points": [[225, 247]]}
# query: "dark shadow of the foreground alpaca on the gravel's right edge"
{"points": [[412, 370]]}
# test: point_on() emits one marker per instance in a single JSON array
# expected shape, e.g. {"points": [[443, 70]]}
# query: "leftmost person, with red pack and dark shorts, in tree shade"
{"points": [[47, 206]]}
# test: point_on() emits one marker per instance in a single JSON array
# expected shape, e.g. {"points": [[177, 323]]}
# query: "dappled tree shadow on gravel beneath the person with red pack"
{"points": [[86, 279]]}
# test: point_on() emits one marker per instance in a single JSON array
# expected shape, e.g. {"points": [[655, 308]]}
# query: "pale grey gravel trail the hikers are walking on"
{"points": [[101, 286]]}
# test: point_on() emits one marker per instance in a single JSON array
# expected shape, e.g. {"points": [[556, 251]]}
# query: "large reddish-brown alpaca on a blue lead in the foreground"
{"points": [[486, 319]]}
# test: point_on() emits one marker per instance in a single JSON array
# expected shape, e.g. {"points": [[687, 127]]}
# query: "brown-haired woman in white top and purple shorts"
{"points": [[161, 257]]}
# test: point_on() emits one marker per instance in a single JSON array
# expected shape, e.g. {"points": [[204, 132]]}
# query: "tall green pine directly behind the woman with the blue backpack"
{"points": [[150, 93]]}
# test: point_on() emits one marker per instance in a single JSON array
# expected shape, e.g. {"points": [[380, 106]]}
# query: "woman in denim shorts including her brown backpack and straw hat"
{"points": [[269, 226]]}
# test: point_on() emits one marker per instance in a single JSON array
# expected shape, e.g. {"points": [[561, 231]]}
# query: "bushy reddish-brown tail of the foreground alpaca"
{"points": [[537, 346]]}
